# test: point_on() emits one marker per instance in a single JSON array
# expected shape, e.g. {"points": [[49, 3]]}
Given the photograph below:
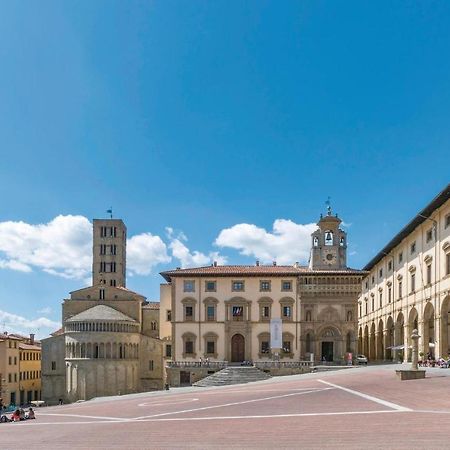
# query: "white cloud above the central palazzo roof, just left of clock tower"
{"points": [[287, 243]]}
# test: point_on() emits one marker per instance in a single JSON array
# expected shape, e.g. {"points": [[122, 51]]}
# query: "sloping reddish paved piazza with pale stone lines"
{"points": [[354, 408]]}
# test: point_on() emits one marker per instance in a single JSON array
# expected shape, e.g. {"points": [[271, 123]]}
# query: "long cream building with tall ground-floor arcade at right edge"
{"points": [[408, 287]]}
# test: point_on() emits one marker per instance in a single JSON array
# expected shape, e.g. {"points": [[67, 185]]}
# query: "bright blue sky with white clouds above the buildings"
{"points": [[200, 116]]}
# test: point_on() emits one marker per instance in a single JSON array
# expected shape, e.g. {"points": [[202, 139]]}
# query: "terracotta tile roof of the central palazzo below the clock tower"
{"points": [[269, 270]]}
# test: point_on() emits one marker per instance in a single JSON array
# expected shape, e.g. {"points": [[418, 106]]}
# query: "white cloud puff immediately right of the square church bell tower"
{"points": [[145, 251]]}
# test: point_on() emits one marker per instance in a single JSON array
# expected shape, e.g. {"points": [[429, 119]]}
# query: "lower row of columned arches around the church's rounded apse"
{"points": [[110, 350]]}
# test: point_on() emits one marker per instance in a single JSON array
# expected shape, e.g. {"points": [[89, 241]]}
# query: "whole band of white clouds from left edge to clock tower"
{"points": [[63, 246]]}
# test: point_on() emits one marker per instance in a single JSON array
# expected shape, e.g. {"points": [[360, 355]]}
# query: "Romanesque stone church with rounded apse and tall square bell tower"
{"points": [[109, 341]]}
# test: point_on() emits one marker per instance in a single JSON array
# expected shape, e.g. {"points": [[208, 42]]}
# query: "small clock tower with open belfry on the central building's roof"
{"points": [[329, 244]]}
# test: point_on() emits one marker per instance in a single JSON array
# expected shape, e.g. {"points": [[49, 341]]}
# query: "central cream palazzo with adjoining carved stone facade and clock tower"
{"points": [[224, 313]]}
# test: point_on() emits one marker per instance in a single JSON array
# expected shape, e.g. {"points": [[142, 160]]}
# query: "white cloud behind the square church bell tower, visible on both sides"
{"points": [[63, 247]]}
